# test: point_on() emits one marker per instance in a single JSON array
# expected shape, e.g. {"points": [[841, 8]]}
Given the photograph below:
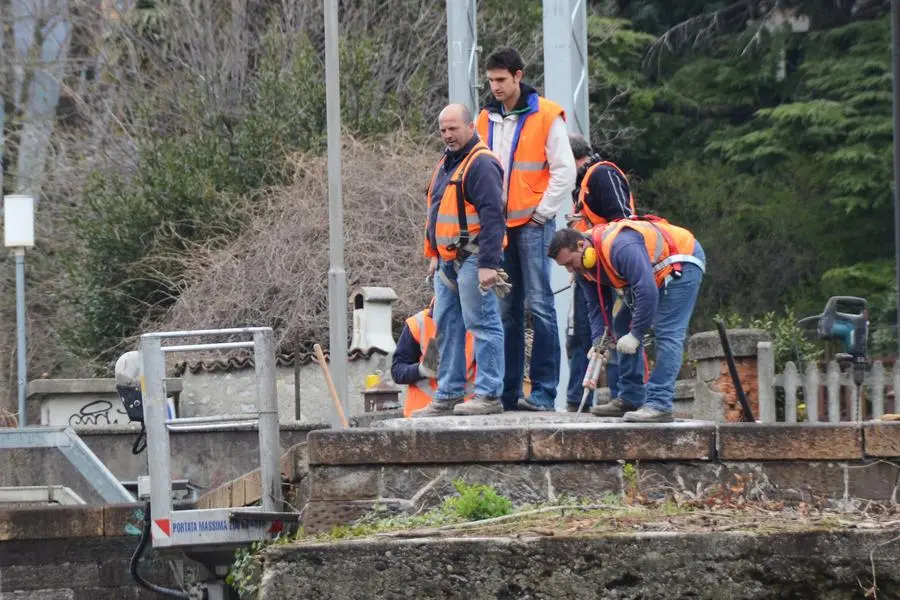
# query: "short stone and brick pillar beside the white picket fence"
{"points": [[715, 398]]}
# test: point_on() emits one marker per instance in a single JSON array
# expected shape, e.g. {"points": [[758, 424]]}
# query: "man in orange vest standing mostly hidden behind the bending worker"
{"points": [[602, 194]]}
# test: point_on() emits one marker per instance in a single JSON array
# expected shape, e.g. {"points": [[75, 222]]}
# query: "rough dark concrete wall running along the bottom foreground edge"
{"points": [[806, 565]]}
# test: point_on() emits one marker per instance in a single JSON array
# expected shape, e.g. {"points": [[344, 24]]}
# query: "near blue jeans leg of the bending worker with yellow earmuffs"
{"points": [[676, 305]]}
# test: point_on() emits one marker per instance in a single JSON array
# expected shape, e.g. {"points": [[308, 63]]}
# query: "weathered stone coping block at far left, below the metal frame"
{"points": [[51, 522]]}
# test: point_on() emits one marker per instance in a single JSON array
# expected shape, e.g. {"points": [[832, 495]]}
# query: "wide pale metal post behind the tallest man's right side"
{"points": [[566, 82]]}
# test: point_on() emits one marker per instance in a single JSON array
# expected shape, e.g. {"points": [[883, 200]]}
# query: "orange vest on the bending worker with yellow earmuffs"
{"points": [[667, 247]]}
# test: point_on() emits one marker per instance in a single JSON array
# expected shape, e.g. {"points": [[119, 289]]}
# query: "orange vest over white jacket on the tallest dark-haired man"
{"points": [[528, 172]]}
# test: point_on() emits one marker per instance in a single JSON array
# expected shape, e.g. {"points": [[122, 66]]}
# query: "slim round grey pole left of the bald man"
{"points": [[337, 276]]}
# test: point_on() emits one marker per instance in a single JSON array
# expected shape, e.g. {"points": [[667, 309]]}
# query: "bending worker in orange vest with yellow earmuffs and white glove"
{"points": [[657, 268]]}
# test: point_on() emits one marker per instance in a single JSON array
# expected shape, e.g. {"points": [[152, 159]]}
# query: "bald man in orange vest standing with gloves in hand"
{"points": [[464, 237]]}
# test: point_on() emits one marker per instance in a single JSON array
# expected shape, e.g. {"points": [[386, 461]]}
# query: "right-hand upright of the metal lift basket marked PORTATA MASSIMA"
{"points": [[269, 432]]}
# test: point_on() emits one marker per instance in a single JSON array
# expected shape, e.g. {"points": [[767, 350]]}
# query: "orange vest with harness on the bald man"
{"points": [[447, 229]]}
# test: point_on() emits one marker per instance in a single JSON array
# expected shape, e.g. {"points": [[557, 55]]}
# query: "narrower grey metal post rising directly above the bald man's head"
{"points": [[462, 52]]}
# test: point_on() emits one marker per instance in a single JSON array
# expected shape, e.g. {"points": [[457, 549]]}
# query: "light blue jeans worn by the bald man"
{"points": [[456, 310]]}
